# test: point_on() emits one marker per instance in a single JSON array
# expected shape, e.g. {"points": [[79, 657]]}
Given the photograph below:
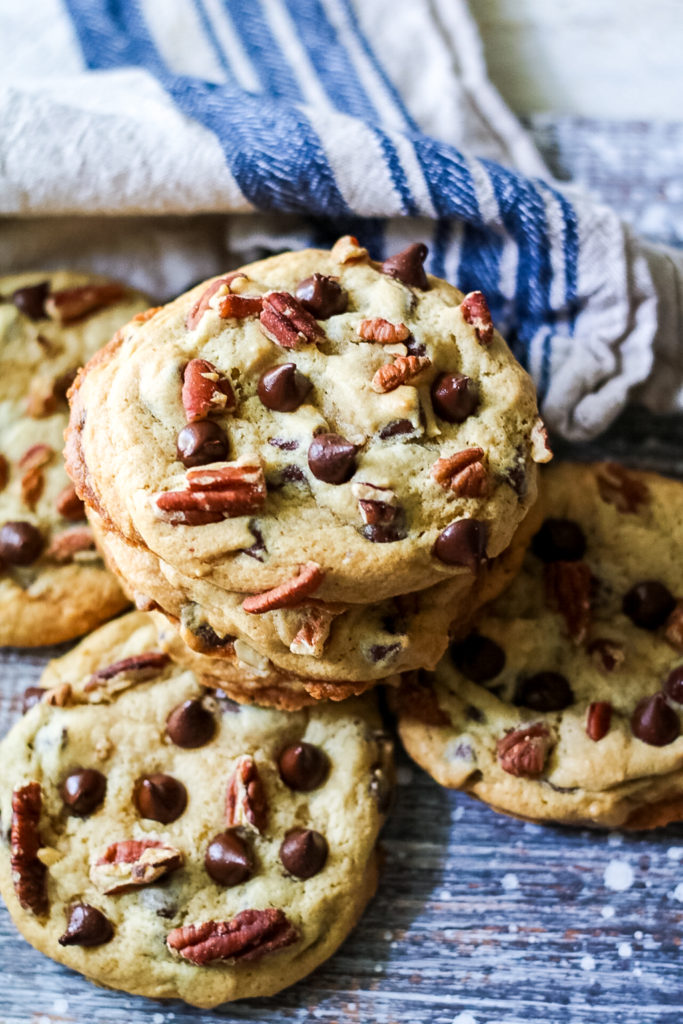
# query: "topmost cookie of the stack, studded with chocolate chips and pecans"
{"points": [[313, 425]]}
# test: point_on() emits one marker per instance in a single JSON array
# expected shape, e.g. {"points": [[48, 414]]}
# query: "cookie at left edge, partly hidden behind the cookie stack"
{"points": [[54, 585]]}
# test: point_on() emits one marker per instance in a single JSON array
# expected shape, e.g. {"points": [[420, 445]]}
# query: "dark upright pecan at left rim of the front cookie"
{"points": [[29, 874]]}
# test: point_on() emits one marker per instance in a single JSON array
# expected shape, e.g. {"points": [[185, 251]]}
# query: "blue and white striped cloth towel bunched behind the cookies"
{"points": [[304, 120]]}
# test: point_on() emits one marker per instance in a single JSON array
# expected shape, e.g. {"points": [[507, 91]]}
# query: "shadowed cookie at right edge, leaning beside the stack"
{"points": [[566, 703]]}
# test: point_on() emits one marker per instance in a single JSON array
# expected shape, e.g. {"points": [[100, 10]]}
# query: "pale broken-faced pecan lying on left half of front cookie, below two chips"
{"points": [[133, 863]]}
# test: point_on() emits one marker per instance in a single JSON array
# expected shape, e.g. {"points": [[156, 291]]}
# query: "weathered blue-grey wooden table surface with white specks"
{"points": [[480, 919]]}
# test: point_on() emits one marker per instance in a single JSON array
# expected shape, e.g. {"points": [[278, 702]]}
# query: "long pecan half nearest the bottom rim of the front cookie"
{"points": [[249, 936]]}
